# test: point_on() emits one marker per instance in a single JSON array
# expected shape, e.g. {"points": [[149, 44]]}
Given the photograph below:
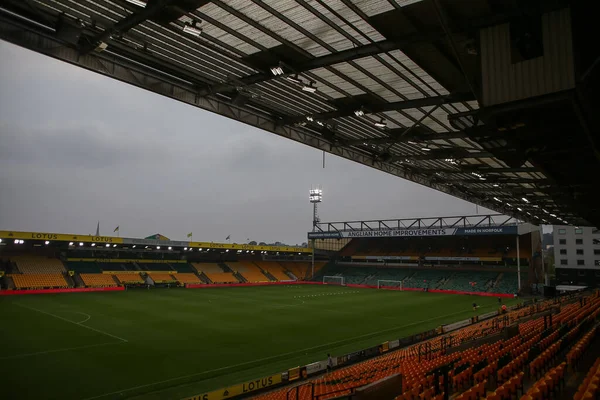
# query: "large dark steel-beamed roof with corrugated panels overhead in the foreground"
{"points": [[397, 85]]}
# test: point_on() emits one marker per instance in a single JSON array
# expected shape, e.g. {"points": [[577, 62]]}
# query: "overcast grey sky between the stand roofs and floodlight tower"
{"points": [[77, 147]]}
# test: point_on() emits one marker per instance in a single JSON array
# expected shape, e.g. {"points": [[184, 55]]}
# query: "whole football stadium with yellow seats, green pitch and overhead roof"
{"points": [[488, 101]]}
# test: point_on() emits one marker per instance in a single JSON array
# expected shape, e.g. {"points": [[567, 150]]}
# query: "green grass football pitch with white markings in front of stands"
{"points": [[173, 343]]}
